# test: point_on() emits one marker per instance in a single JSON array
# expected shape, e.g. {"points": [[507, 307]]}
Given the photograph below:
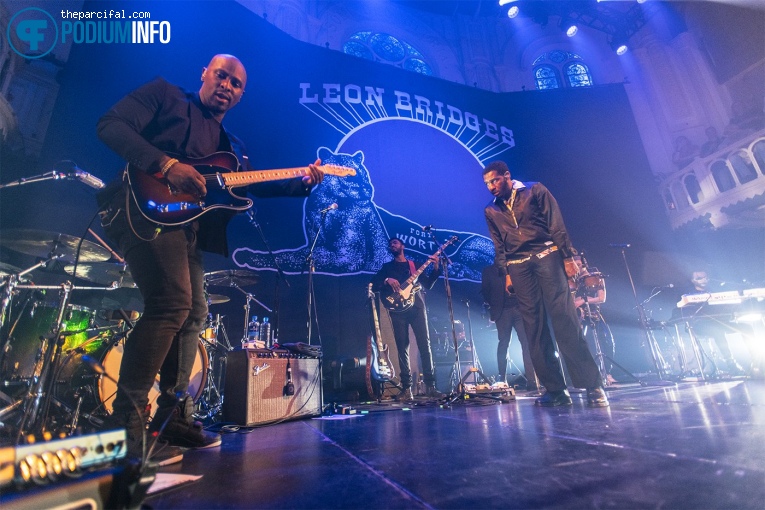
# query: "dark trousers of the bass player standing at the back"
{"points": [[418, 320]]}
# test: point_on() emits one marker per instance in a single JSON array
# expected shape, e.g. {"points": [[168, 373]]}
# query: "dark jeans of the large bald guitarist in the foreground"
{"points": [[169, 274]]}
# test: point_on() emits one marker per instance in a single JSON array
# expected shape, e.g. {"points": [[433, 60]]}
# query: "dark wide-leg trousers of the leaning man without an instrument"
{"points": [[543, 294]]}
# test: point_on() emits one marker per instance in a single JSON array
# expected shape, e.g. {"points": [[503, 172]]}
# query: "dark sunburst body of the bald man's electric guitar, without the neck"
{"points": [[159, 202]]}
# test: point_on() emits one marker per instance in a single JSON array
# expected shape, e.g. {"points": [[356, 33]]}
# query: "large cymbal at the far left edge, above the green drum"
{"points": [[40, 243]]}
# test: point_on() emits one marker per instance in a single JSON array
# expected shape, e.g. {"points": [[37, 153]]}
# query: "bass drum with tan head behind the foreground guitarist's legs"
{"points": [[77, 380]]}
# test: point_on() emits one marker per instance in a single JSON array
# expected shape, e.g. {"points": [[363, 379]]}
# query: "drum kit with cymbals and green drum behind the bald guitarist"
{"points": [[49, 341]]}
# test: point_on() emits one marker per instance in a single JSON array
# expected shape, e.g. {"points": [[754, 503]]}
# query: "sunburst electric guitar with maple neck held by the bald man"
{"points": [[160, 202]]}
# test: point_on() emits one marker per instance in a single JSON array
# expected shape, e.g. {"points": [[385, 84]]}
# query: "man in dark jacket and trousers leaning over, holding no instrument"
{"points": [[532, 244]]}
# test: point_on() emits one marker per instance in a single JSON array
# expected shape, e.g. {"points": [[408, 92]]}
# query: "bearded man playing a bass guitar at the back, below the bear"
{"points": [[388, 280]]}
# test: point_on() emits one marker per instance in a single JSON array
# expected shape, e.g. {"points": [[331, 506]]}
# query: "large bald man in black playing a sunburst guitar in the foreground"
{"points": [[166, 262]]}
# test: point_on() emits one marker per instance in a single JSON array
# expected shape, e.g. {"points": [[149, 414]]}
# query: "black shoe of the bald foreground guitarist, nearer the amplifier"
{"points": [[181, 429]]}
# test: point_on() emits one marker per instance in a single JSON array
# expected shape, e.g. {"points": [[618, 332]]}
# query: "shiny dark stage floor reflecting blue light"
{"points": [[691, 445]]}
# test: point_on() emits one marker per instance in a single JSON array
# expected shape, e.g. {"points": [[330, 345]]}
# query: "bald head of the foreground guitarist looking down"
{"points": [[223, 82]]}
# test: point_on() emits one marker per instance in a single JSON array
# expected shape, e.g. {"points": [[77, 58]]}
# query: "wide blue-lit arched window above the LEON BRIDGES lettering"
{"points": [[385, 48]]}
